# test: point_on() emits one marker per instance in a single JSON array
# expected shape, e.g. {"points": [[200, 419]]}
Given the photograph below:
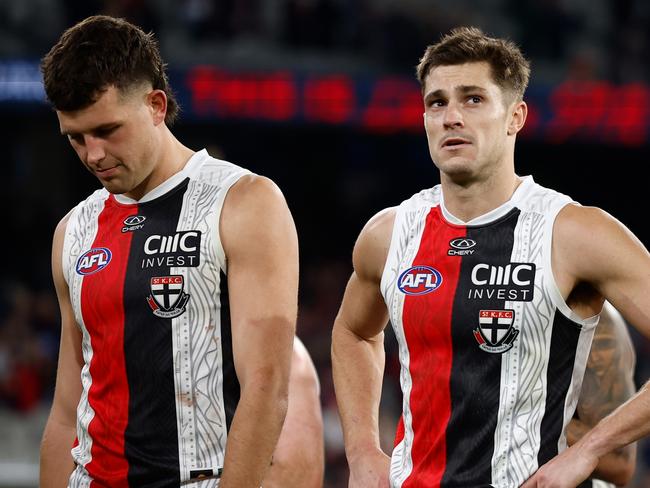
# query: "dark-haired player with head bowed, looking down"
{"points": [[177, 283]]}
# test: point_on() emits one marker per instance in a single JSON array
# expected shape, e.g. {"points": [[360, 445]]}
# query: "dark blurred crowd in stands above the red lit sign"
{"points": [[594, 38]]}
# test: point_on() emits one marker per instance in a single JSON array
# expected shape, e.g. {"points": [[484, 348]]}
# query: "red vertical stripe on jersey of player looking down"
{"points": [[102, 304]]}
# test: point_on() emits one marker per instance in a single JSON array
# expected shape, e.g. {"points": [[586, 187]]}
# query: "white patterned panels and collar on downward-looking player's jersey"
{"points": [[196, 334]]}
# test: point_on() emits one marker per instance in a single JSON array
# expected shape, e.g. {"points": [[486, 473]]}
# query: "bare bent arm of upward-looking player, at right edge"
{"points": [[593, 248]]}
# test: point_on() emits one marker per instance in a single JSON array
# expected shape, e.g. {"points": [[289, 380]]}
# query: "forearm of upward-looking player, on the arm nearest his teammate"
{"points": [[358, 367]]}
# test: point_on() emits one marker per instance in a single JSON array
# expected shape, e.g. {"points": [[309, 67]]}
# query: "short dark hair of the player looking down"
{"points": [[98, 52]]}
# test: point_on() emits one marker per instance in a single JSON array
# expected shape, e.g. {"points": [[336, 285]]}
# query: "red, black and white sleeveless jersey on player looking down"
{"points": [[147, 282]]}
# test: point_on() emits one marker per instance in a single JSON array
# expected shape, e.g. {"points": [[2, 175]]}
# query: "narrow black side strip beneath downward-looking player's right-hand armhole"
{"points": [[231, 388]]}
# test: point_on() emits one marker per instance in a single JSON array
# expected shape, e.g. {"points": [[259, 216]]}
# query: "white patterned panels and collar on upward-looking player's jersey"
{"points": [[525, 368]]}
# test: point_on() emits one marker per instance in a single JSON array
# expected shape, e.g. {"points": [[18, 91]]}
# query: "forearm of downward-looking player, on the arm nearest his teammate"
{"points": [[253, 434]]}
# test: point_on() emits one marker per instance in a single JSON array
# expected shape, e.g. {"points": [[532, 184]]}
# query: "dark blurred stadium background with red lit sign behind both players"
{"points": [[320, 96]]}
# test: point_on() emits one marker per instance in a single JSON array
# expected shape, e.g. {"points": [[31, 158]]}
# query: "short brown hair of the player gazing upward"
{"points": [[510, 69]]}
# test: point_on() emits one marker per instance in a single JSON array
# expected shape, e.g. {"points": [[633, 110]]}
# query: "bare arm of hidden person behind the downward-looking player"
{"points": [[298, 460]]}
